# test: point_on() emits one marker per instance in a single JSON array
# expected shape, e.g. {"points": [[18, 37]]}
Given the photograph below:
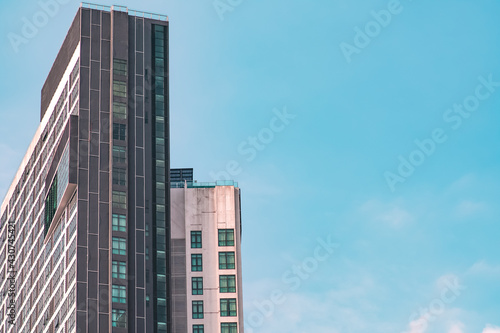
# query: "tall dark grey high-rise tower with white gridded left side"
{"points": [[85, 231]]}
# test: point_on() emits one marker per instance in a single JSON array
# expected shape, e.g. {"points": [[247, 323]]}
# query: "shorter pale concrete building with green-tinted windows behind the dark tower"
{"points": [[206, 258]]}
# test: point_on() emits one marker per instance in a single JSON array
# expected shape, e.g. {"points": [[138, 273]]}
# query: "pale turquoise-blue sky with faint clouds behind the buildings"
{"points": [[364, 136]]}
